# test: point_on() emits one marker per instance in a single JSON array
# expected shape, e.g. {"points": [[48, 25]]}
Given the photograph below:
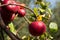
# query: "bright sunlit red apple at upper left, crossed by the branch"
{"points": [[12, 8]]}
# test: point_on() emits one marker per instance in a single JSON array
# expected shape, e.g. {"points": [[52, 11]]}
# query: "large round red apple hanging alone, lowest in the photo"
{"points": [[37, 28]]}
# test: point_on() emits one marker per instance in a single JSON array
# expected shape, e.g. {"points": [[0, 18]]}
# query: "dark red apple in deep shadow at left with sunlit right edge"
{"points": [[7, 16]]}
